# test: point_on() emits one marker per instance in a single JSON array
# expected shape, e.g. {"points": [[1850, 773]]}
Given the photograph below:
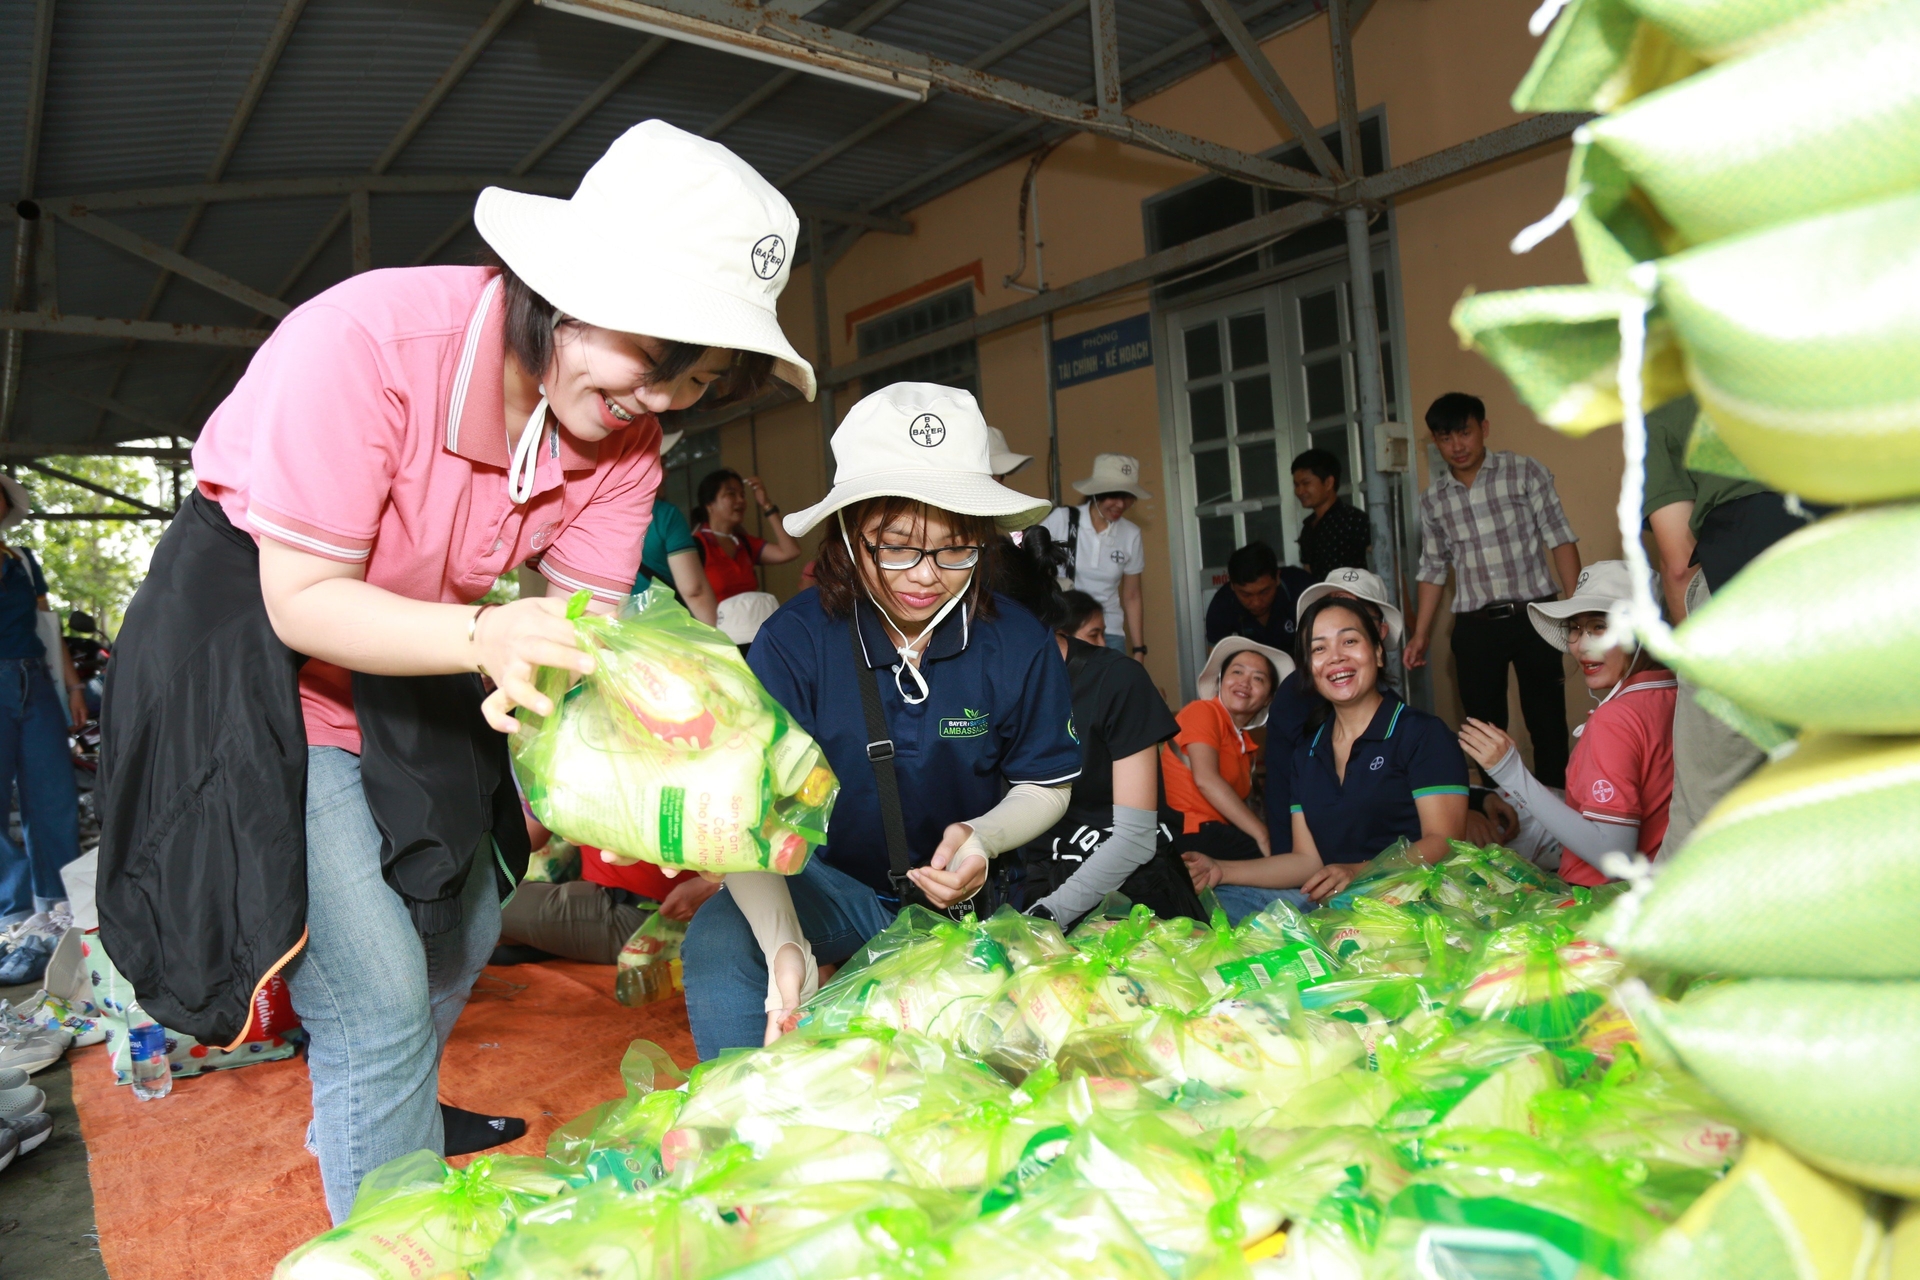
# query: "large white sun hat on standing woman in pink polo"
{"points": [[669, 235]]}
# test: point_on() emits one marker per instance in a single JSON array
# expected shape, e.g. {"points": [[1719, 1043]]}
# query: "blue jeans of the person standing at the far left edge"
{"points": [[36, 755]]}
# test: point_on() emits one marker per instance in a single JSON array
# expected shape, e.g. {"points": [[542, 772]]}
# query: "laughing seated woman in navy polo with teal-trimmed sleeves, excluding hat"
{"points": [[1374, 770]]}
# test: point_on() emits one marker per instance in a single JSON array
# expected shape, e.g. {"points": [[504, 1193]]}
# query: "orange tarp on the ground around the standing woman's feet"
{"points": [[214, 1181]]}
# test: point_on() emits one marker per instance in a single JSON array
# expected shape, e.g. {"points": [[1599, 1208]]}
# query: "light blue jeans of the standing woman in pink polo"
{"points": [[377, 999]]}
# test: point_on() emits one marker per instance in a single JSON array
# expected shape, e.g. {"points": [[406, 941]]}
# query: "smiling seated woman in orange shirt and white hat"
{"points": [[1209, 767]]}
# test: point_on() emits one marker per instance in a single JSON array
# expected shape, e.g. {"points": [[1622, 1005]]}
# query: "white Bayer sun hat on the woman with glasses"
{"points": [[926, 442]]}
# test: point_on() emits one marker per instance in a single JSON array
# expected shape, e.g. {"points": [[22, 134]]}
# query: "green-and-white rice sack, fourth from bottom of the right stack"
{"points": [[1831, 617]]}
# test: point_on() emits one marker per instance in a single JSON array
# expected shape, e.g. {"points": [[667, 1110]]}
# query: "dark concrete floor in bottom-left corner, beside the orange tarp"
{"points": [[47, 1204]]}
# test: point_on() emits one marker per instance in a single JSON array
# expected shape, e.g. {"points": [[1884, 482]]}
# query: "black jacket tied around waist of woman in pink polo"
{"points": [[204, 786]]}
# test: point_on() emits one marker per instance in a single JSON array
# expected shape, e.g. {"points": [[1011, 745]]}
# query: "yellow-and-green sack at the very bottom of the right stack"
{"points": [[1771, 1218]]}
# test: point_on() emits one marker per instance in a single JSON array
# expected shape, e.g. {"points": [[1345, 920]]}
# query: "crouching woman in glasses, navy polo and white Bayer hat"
{"points": [[974, 694]]}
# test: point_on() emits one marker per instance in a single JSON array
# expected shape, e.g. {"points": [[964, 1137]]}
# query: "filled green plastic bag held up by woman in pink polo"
{"points": [[671, 751]]}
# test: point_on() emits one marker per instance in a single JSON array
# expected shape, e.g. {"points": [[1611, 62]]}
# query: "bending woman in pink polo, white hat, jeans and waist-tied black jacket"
{"points": [[297, 763]]}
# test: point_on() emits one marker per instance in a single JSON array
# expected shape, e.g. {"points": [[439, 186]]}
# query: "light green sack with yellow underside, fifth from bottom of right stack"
{"points": [[1804, 346]]}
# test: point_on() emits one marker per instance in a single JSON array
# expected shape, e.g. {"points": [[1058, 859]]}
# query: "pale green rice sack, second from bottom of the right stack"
{"points": [[1831, 1070]]}
